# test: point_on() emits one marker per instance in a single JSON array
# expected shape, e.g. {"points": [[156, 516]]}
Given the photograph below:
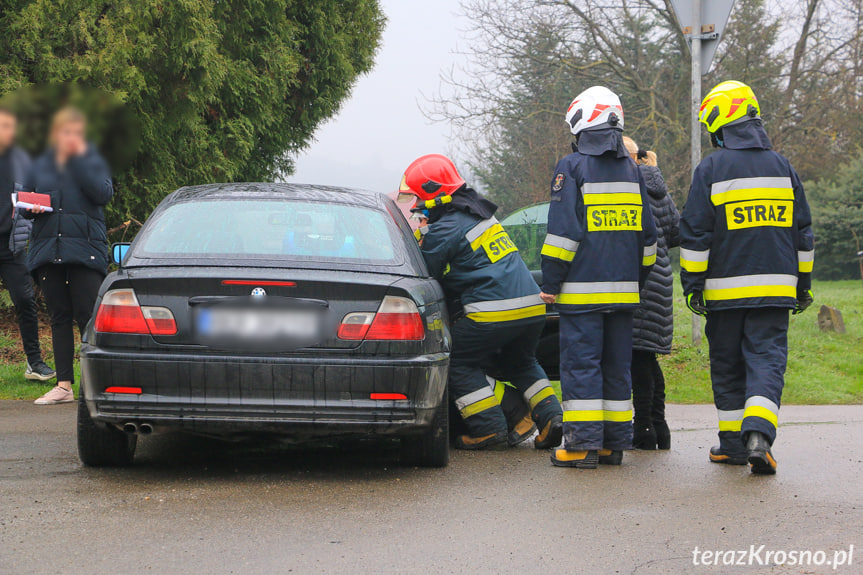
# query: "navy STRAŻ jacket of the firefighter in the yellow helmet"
{"points": [[746, 237]]}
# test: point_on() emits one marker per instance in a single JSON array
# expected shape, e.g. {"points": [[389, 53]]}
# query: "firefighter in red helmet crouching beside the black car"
{"points": [[468, 251]]}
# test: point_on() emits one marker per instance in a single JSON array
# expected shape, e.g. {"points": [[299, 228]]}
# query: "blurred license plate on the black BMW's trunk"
{"points": [[258, 324]]}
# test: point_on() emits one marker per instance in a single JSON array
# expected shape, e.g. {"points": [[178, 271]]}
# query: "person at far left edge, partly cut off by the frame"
{"points": [[14, 235]]}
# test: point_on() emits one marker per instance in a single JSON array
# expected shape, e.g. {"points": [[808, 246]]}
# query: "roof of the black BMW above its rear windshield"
{"points": [[266, 190]]}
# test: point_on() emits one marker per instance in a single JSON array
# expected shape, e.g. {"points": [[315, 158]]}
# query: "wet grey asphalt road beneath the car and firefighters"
{"points": [[201, 506]]}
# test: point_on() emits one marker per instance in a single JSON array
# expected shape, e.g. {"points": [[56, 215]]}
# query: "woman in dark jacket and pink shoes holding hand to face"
{"points": [[68, 246]]}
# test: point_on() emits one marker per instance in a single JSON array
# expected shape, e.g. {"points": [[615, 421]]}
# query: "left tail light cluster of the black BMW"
{"points": [[120, 312]]}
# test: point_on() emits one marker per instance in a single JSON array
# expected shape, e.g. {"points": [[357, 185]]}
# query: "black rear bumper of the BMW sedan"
{"points": [[296, 396]]}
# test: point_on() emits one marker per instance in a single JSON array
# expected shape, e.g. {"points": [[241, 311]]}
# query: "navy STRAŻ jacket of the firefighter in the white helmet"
{"points": [[601, 240]]}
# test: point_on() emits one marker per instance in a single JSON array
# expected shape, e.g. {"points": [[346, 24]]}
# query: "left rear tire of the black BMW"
{"points": [[102, 446]]}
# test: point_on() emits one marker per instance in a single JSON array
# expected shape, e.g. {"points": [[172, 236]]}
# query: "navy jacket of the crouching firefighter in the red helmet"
{"points": [[470, 253]]}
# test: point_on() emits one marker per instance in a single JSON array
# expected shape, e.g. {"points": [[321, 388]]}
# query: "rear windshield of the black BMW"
{"points": [[269, 229]]}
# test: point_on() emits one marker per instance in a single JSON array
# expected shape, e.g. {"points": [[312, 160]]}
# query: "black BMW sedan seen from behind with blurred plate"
{"points": [[246, 309]]}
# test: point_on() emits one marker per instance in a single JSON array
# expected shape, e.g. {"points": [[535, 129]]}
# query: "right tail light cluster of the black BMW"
{"points": [[397, 319]]}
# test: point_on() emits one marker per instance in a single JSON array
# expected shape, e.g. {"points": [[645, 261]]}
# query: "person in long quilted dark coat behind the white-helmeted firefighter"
{"points": [[653, 324]]}
